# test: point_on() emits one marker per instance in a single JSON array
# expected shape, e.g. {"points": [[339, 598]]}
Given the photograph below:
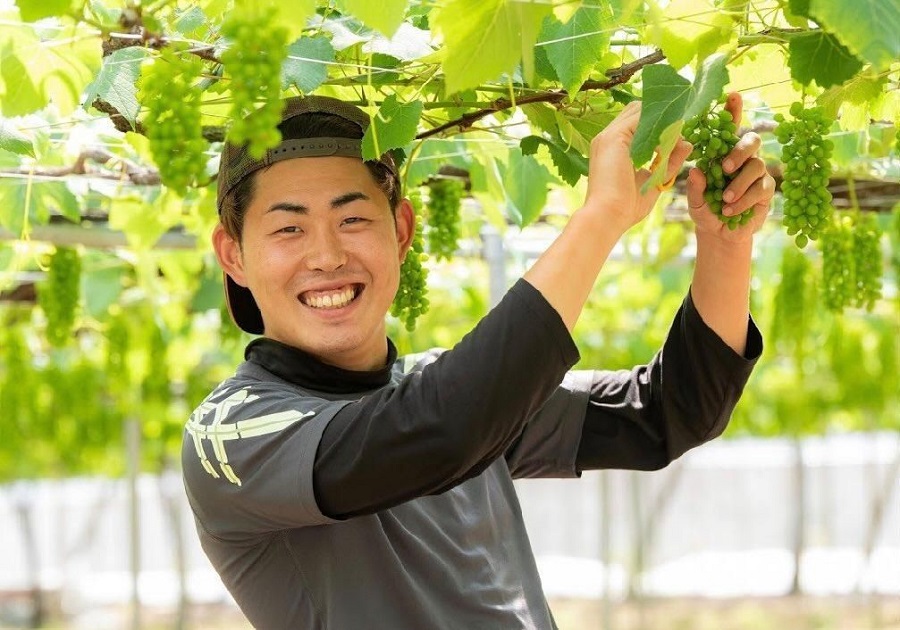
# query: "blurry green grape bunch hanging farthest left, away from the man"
{"points": [[58, 295]]}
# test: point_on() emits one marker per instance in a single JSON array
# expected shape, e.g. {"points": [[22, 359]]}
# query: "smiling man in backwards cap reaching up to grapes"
{"points": [[336, 485]]}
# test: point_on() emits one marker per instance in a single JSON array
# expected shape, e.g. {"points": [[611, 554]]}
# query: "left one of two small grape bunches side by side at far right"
{"points": [[838, 264]]}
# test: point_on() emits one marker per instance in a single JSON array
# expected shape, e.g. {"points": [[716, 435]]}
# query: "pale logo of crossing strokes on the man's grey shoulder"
{"points": [[218, 432]]}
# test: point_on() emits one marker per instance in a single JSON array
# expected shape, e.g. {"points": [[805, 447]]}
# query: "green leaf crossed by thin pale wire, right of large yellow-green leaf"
{"points": [[575, 46]]}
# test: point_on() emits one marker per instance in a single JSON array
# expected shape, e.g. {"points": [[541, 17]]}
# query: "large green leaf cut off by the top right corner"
{"points": [[869, 28]]}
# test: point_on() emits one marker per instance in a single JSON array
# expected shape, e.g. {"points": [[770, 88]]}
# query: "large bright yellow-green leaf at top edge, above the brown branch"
{"points": [[485, 38]]}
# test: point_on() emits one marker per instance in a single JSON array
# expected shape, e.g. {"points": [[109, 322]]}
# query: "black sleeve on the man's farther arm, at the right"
{"points": [[644, 418]]}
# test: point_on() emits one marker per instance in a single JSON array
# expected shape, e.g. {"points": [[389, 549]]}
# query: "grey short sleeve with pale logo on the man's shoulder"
{"points": [[247, 458]]}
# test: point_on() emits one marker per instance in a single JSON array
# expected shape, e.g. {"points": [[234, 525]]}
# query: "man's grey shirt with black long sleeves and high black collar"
{"points": [[333, 499]]}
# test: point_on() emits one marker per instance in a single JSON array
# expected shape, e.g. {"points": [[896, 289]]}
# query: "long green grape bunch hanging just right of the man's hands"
{"points": [[806, 154]]}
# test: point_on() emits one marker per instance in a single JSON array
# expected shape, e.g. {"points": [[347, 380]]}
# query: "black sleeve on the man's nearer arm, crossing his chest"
{"points": [[450, 420]]}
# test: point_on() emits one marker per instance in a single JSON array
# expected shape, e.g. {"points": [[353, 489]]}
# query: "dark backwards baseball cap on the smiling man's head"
{"points": [[237, 163]]}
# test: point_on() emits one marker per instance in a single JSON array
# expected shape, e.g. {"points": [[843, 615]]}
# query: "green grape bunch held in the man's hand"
{"points": [[714, 134]]}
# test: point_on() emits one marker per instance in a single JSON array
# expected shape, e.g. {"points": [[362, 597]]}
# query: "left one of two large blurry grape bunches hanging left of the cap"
{"points": [[168, 90]]}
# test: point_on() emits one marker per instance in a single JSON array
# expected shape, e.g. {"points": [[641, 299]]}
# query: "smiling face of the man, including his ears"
{"points": [[321, 253]]}
